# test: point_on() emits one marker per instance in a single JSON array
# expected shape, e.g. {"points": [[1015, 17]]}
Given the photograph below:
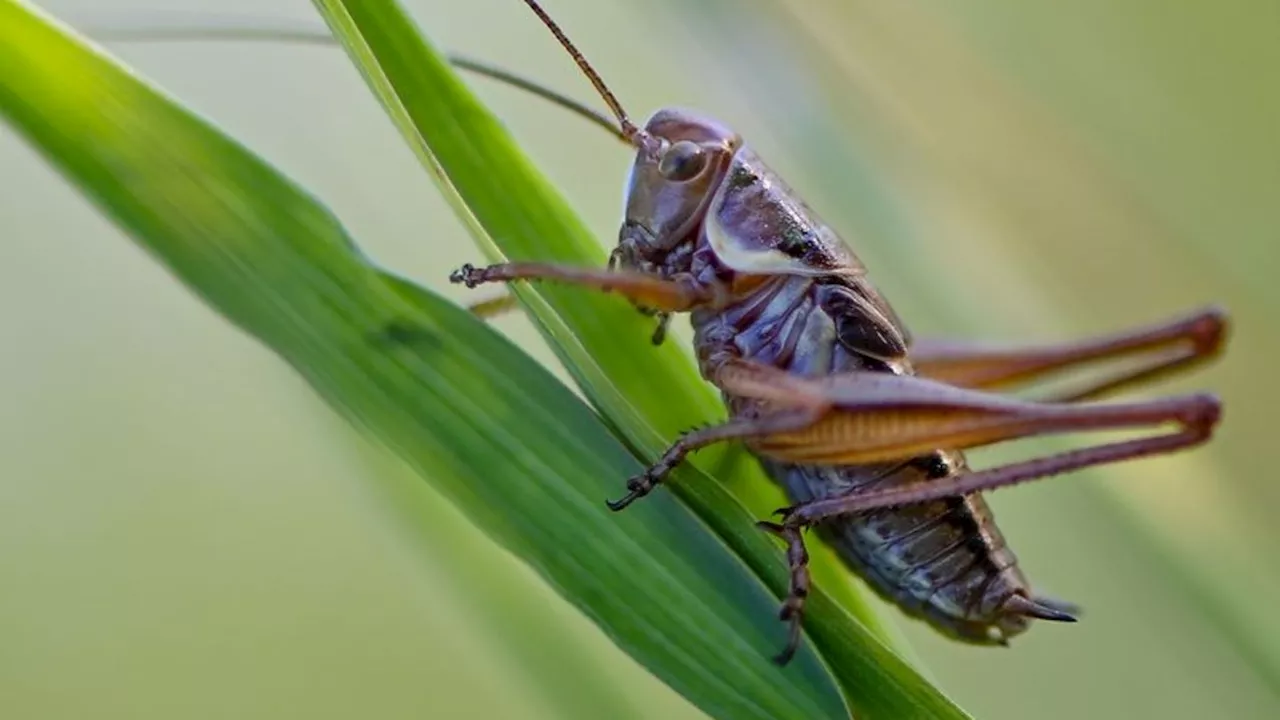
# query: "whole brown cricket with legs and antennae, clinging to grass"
{"points": [[865, 427]]}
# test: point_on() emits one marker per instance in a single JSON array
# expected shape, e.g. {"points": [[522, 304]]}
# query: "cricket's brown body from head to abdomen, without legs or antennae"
{"points": [[812, 312]]}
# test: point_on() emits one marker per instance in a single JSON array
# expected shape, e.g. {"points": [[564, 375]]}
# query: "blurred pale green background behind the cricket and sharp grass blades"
{"points": [[186, 532]]}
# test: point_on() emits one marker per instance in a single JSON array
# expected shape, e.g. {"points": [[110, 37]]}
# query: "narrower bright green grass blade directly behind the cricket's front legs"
{"points": [[514, 213]]}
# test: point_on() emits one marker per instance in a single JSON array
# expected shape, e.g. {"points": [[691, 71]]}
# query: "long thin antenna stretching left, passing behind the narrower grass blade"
{"points": [[266, 31]]}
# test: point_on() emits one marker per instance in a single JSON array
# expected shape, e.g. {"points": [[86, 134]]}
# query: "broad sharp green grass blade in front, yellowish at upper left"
{"points": [[447, 394]]}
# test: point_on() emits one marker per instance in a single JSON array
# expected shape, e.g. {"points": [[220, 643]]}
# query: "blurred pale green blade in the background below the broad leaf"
{"points": [[523, 641]]}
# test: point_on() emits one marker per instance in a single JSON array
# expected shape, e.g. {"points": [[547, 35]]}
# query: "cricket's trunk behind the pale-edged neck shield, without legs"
{"points": [[944, 562]]}
